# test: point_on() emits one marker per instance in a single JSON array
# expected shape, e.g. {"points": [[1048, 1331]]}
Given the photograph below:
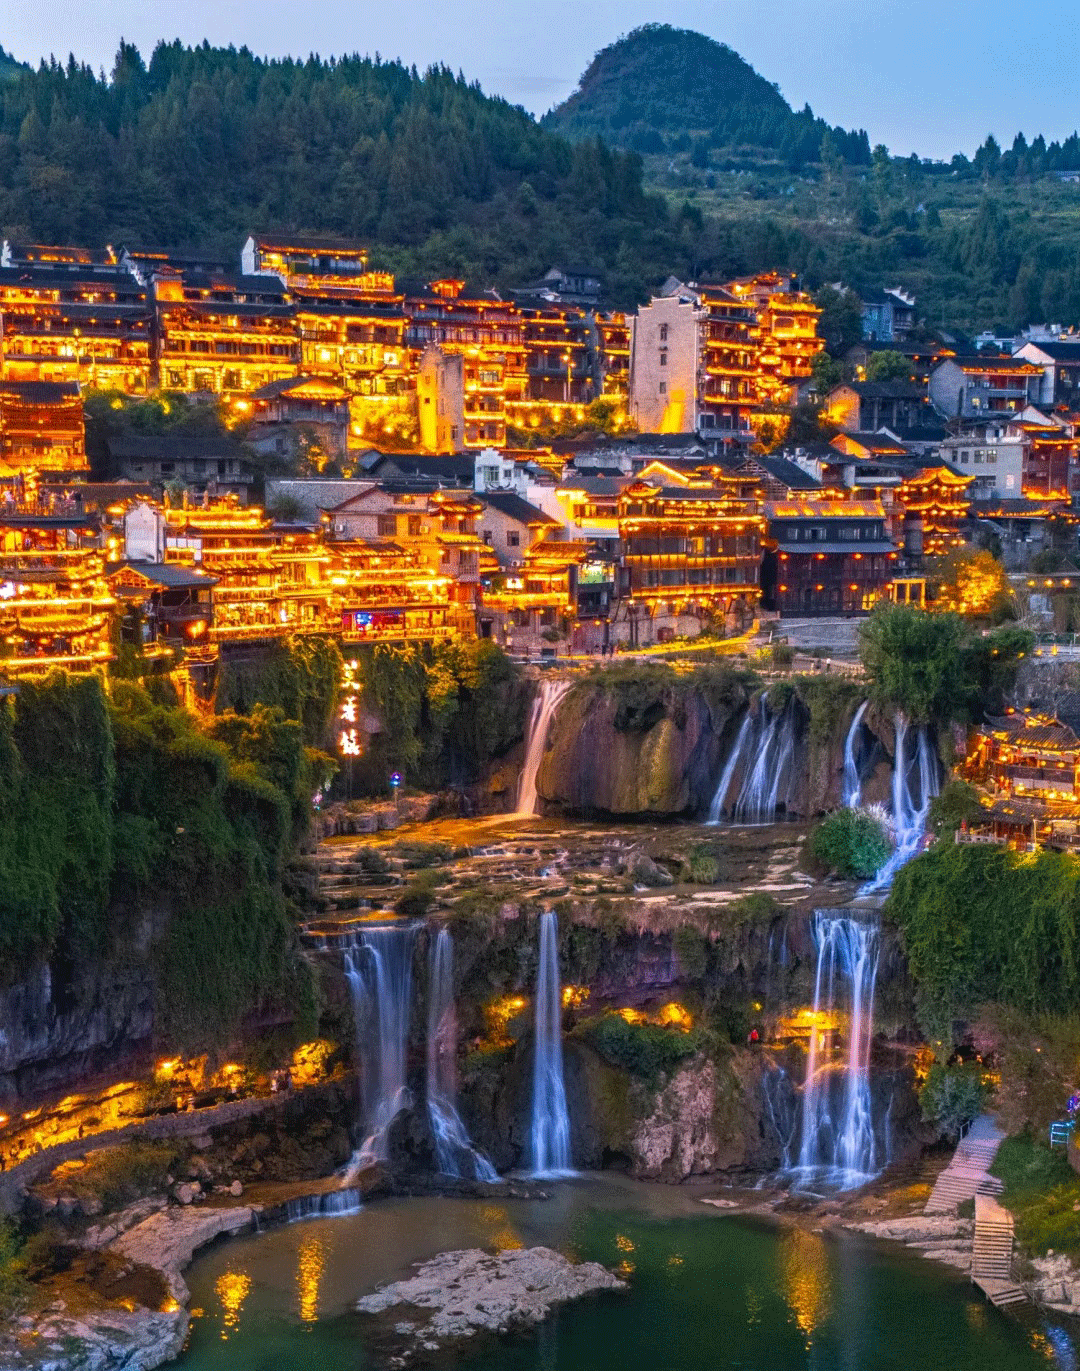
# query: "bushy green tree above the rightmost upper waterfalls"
{"points": [[933, 666]]}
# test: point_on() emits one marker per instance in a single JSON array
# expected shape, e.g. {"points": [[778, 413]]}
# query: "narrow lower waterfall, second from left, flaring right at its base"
{"points": [[453, 1148]]}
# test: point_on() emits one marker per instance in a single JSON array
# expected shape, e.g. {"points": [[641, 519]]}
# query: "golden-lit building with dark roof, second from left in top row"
{"points": [[223, 334]]}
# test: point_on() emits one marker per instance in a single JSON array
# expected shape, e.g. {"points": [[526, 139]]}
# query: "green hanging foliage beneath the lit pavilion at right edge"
{"points": [[986, 925]]}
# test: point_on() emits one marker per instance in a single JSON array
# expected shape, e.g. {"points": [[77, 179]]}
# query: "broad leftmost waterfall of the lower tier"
{"points": [[379, 966]]}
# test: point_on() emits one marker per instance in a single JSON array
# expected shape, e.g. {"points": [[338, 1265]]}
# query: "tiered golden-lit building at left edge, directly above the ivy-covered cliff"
{"points": [[56, 604]]}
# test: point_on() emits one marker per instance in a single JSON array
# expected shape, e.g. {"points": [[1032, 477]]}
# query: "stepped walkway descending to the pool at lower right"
{"points": [[967, 1177]]}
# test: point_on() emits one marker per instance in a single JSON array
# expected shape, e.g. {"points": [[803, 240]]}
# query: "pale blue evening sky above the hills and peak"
{"points": [[922, 76]]}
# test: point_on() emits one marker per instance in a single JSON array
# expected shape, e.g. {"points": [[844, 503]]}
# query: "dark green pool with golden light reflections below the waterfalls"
{"points": [[707, 1292]]}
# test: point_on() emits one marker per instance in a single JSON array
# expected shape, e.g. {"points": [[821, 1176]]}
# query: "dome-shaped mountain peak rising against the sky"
{"points": [[668, 90]]}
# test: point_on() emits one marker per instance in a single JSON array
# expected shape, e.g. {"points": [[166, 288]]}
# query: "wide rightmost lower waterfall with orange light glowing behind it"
{"points": [[838, 1141]]}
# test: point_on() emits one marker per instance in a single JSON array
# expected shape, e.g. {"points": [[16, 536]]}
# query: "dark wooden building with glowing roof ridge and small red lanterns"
{"points": [[826, 557]]}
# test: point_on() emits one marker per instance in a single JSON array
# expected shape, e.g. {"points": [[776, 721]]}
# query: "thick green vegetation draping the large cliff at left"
{"points": [[130, 819]]}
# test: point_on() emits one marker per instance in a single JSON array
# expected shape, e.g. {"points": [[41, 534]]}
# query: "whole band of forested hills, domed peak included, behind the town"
{"points": [[199, 147]]}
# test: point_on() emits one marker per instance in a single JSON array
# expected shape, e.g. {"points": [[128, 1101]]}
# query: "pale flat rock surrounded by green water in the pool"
{"points": [[475, 1292]]}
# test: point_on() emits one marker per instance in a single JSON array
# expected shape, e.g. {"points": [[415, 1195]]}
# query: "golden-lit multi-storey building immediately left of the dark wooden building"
{"points": [[690, 549]]}
